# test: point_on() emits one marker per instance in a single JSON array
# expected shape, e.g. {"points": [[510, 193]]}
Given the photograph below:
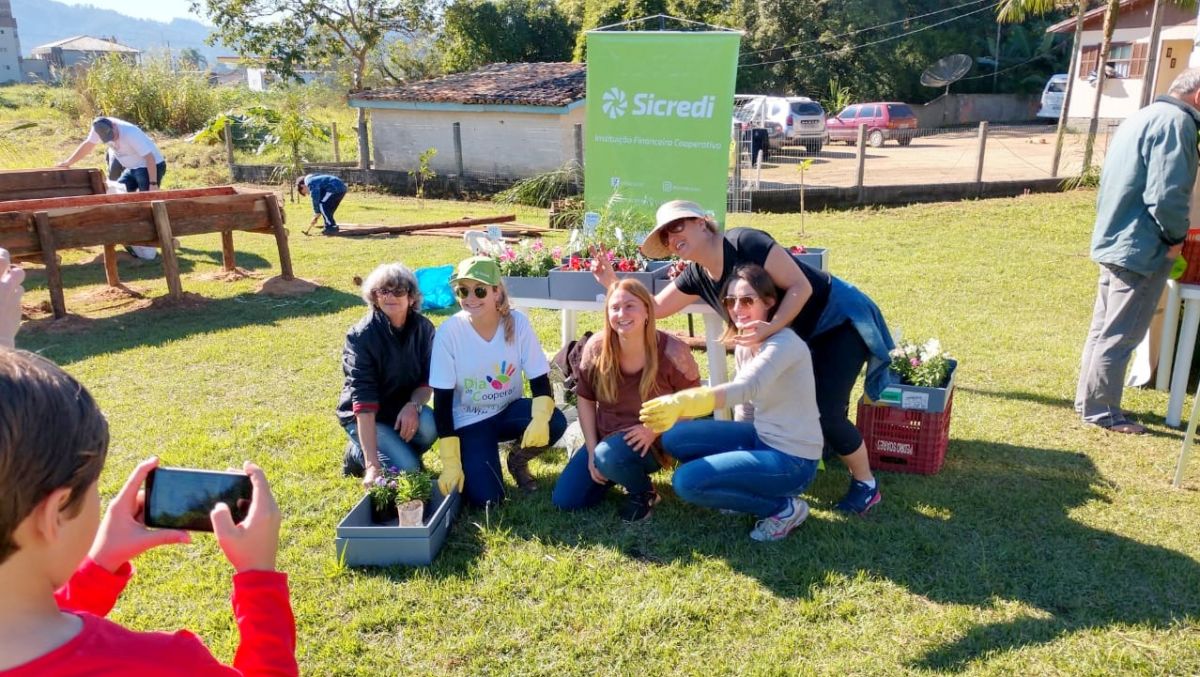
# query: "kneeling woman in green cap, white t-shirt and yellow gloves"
{"points": [[482, 356]]}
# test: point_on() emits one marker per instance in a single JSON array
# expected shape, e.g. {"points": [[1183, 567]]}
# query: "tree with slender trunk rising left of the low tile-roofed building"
{"points": [[290, 34]]}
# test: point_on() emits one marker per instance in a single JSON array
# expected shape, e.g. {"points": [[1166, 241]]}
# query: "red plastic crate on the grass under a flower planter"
{"points": [[905, 441]]}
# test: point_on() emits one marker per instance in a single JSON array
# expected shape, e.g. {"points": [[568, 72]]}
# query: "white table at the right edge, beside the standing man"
{"points": [[1181, 356]]}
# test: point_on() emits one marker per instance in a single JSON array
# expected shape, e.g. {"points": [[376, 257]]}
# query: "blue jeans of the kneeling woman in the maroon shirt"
{"points": [[619, 463]]}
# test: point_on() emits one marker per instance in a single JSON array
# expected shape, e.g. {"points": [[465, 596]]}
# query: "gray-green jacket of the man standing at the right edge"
{"points": [[1147, 187]]}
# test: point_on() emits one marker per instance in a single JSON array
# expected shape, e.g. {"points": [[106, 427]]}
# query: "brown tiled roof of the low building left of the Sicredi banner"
{"points": [[523, 85]]}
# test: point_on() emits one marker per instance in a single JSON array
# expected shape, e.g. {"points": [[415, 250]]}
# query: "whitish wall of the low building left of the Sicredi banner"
{"points": [[503, 145]]}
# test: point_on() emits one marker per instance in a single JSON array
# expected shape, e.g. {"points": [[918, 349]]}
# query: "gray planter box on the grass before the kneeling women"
{"points": [[362, 543]]}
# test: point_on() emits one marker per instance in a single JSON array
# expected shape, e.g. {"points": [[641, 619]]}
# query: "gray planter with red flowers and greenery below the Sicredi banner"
{"points": [[617, 232]]}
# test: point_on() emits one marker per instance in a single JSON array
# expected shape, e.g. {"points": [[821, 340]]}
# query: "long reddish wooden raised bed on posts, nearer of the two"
{"points": [[39, 229]]}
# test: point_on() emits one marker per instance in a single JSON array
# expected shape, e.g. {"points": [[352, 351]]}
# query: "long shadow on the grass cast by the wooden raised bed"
{"points": [[163, 320]]}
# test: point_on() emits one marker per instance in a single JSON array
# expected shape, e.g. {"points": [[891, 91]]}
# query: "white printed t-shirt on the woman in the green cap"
{"points": [[487, 376]]}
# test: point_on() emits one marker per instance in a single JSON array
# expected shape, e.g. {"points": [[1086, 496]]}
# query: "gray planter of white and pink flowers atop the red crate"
{"points": [[926, 375]]}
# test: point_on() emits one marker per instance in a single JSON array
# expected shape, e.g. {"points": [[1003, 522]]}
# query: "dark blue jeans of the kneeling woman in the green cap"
{"points": [[479, 446]]}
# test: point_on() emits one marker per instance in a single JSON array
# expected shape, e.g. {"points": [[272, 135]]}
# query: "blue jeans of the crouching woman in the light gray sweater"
{"points": [[727, 466]]}
